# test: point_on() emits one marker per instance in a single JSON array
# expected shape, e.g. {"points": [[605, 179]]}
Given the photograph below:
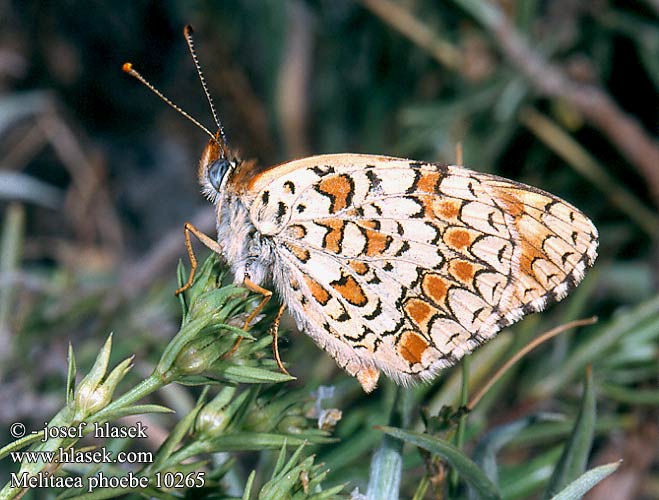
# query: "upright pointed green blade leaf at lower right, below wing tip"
{"points": [[575, 455]]}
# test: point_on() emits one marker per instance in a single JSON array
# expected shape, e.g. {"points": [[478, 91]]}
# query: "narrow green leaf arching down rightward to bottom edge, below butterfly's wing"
{"points": [[467, 469]]}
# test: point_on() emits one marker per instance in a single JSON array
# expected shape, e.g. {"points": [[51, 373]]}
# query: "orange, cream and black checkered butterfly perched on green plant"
{"points": [[390, 265]]}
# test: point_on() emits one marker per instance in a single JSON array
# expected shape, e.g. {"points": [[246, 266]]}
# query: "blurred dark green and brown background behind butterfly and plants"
{"points": [[98, 176]]}
